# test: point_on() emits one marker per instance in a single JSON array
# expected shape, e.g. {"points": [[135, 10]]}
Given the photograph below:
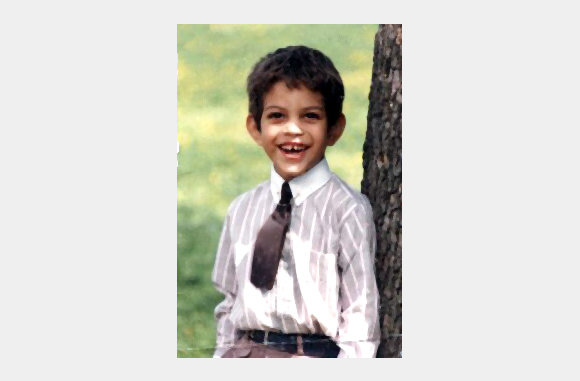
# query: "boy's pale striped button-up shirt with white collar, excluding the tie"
{"points": [[325, 282]]}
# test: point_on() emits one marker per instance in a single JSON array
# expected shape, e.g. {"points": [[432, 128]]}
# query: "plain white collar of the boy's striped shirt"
{"points": [[303, 185]]}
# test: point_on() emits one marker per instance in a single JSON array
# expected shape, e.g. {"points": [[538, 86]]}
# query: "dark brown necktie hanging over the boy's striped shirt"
{"points": [[269, 243]]}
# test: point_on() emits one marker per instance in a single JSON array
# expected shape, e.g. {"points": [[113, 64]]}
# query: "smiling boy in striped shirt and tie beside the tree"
{"points": [[296, 255]]}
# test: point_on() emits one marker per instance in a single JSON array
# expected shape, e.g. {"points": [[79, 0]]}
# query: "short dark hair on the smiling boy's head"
{"points": [[296, 65]]}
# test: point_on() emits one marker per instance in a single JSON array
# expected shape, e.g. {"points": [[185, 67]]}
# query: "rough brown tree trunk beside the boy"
{"points": [[382, 180]]}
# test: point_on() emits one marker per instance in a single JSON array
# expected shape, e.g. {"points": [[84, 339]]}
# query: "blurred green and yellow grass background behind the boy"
{"points": [[218, 160]]}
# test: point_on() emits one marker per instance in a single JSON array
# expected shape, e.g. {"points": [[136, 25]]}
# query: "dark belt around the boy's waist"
{"points": [[309, 345]]}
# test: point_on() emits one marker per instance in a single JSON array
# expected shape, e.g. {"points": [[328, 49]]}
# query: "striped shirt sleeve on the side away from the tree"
{"points": [[224, 279]]}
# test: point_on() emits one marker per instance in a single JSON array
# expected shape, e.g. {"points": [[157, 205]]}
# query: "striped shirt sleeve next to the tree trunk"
{"points": [[358, 332]]}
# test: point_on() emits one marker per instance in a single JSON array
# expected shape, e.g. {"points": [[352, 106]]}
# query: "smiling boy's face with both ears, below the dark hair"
{"points": [[294, 129]]}
